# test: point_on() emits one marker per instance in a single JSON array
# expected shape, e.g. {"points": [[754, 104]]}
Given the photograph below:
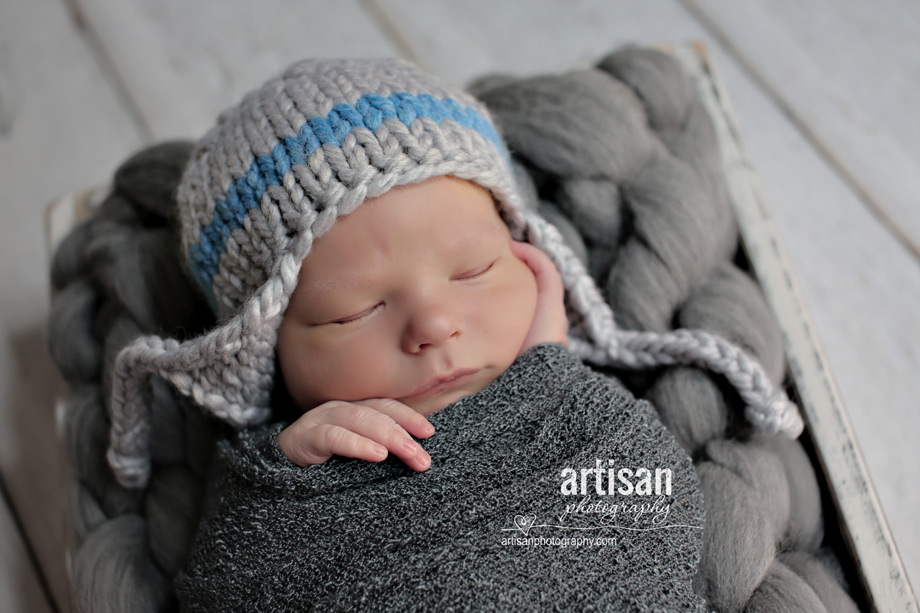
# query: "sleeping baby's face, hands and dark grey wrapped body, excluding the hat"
{"points": [[419, 304]]}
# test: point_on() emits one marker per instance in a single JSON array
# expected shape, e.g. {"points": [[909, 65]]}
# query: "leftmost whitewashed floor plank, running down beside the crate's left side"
{"points": [[62, 127]]}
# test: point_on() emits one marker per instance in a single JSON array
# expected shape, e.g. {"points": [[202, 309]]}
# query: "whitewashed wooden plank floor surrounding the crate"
{"points": [[826, 92]]}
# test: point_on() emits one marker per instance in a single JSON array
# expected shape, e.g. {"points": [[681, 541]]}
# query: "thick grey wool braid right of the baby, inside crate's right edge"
{"points": [[659, 199]]}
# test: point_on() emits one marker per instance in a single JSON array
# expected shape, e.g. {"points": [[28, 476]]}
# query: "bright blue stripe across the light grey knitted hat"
{"points": [[370, 111]]}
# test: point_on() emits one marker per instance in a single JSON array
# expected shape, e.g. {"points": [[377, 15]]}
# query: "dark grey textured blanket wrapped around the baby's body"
{"points": [[497, 522]]}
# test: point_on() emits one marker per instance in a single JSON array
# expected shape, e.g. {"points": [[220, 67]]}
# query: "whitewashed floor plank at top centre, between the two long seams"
{"points": [[464, 40]]}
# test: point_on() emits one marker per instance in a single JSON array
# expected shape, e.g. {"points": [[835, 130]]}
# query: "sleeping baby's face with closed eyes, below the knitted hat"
{"points": [[415, 296]]}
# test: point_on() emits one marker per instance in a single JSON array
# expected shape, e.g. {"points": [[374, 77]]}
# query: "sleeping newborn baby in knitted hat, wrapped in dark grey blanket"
{"points": [[356, 228]]}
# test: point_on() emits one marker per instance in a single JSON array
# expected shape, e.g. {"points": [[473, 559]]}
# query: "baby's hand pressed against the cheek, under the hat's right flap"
{"points": [[550, 324]]}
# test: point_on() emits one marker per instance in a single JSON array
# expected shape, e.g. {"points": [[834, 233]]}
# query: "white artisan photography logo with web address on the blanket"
{"points": [[599, 504]]}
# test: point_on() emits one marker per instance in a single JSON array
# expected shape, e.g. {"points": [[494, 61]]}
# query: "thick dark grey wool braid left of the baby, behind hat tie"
{"points": [[128, 543]]}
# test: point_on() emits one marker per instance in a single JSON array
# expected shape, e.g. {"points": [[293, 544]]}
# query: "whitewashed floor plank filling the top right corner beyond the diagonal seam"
{"points": [[847, 72]]}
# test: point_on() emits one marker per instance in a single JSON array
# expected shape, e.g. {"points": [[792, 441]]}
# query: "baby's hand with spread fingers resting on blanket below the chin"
{"points": [[365, 429]]}
